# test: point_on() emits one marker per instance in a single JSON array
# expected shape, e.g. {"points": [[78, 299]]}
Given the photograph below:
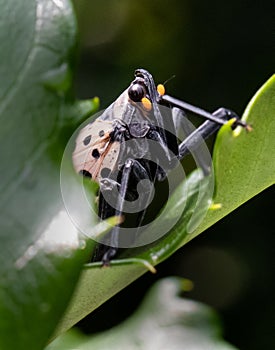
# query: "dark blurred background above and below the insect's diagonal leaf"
{"points": [[221, 53]]}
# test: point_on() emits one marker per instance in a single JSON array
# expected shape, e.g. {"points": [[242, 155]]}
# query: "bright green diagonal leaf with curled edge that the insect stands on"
{"points": [[239, 176]]}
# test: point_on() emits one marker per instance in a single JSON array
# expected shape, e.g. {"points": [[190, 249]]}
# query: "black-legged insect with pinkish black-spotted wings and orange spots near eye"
{"points": [[113, 149]]}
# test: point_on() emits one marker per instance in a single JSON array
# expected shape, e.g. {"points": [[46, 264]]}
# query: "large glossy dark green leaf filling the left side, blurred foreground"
{"points": [[41, 253]]}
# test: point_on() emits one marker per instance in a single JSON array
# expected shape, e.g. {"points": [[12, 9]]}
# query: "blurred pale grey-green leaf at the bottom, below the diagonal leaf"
{"points": [[163, 321]]}
